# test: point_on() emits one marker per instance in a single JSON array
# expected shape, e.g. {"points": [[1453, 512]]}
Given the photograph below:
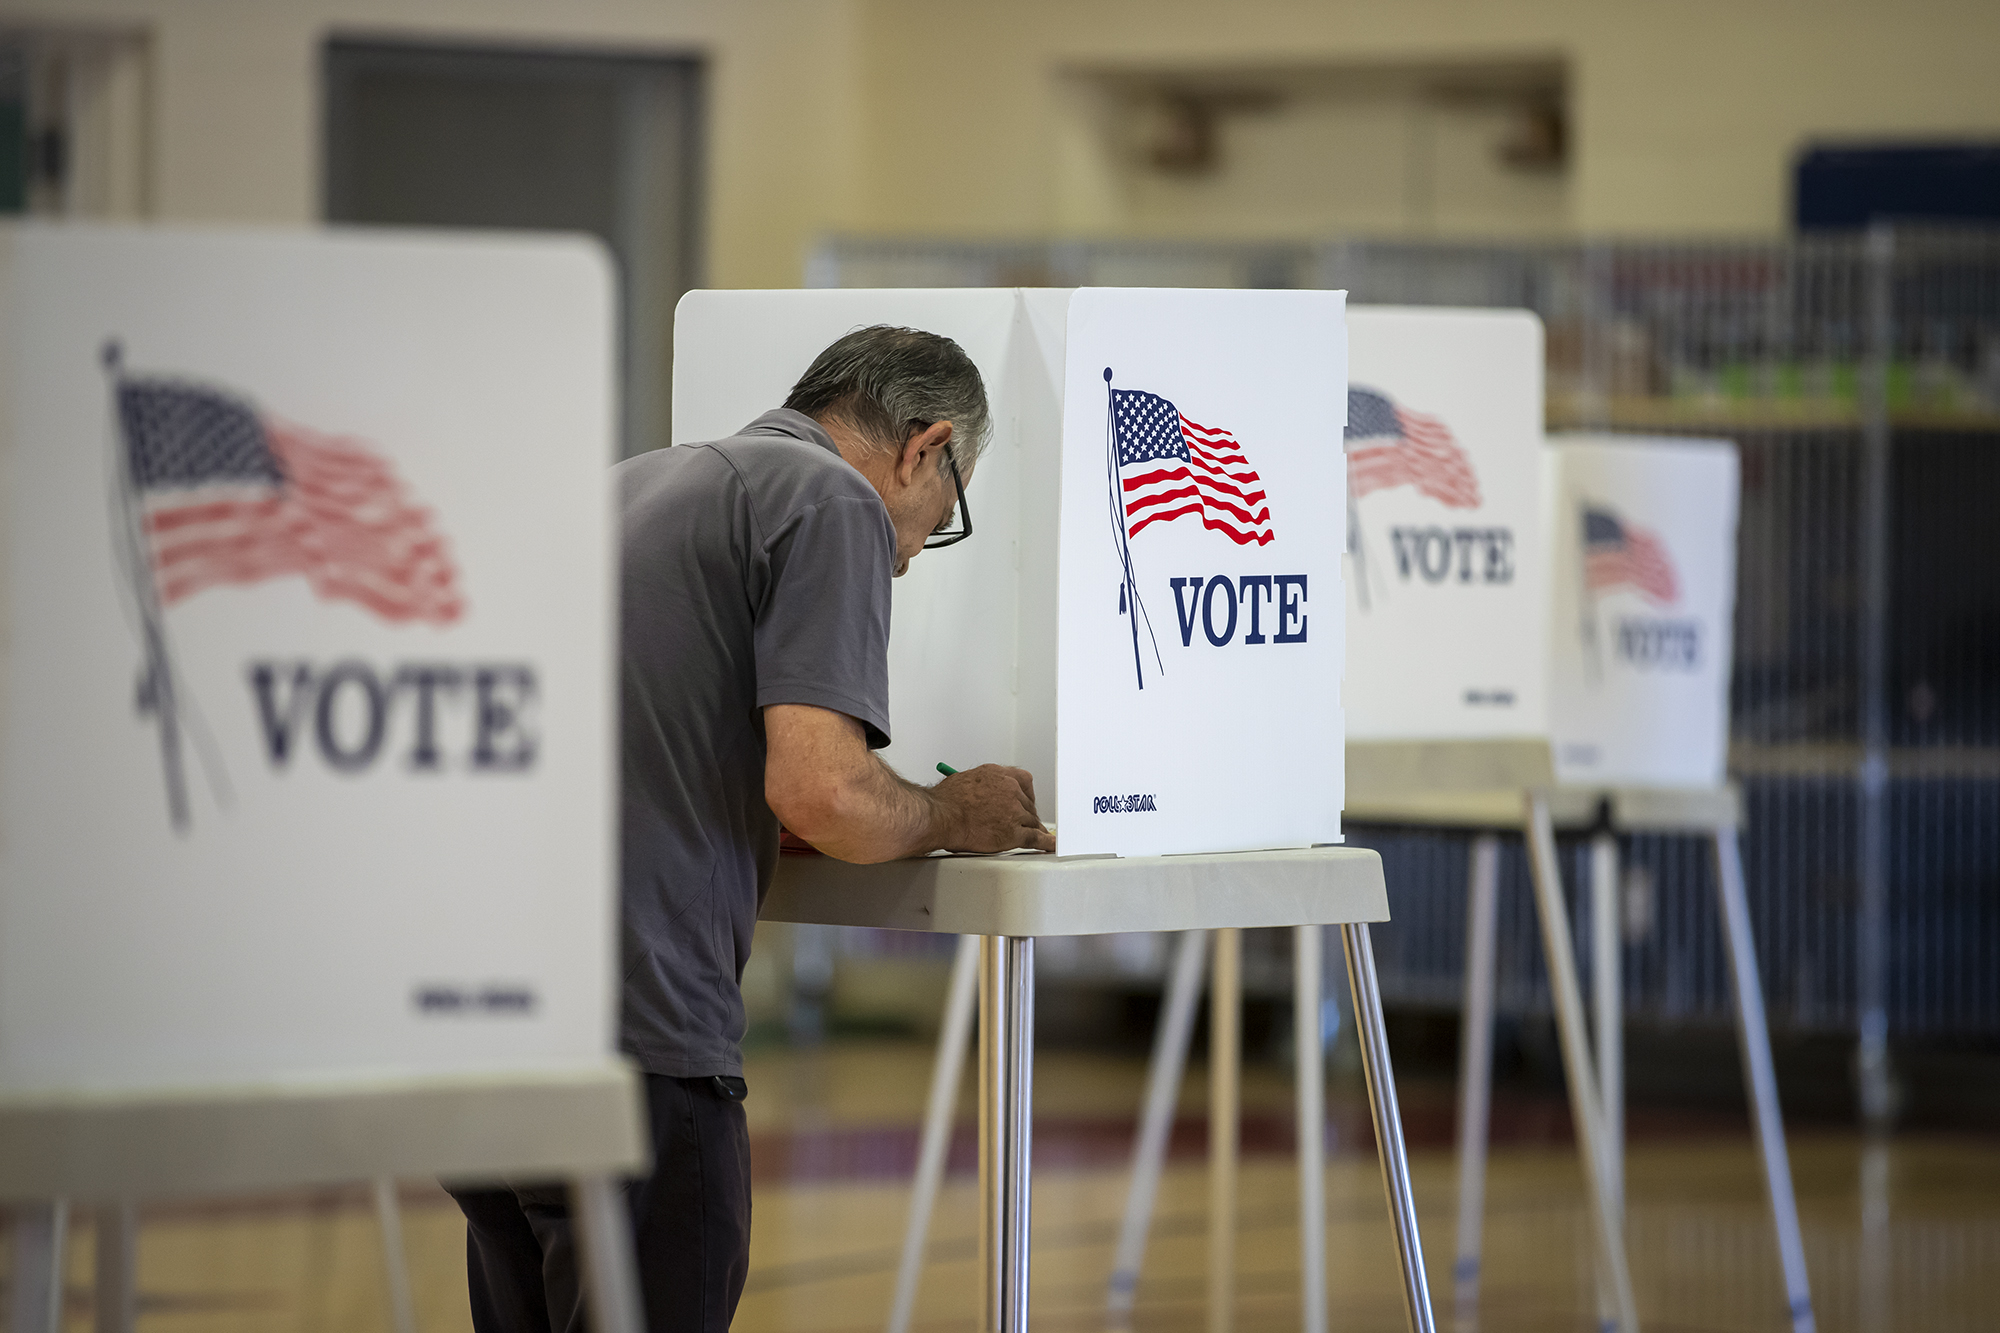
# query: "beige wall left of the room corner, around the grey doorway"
{"points": [[237, 101]]}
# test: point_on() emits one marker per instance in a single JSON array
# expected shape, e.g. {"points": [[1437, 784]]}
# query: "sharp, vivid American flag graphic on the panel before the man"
{"points": [[1171, 467]]}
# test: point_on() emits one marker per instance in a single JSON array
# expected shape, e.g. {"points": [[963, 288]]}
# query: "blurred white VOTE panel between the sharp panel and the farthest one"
{"points": [[1447, 565]]}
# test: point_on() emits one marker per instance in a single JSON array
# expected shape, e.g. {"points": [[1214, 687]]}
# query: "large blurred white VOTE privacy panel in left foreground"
{"points": [[307, 744]]}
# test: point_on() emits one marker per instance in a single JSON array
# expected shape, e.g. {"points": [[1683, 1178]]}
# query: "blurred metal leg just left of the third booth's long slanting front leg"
{"points": [[1475, 1074]]}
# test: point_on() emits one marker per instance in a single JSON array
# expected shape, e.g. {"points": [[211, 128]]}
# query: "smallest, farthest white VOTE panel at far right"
{"points": [[1643, 561]]}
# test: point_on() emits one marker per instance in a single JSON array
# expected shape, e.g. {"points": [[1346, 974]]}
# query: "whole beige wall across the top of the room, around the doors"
{"points": [[955, 117]]}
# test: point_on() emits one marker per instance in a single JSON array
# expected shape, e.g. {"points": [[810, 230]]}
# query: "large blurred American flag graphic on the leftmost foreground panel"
{"points": [[225, 495]]}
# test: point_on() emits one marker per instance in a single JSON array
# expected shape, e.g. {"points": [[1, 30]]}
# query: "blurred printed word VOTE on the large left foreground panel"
{"points": [[349, 710]]}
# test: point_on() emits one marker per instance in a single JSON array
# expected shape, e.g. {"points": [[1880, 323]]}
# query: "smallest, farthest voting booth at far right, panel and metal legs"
{"points": [[1643, 591]]}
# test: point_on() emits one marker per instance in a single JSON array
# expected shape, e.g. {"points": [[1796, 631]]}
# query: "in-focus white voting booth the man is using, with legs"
{"points": [[1147, 617]]}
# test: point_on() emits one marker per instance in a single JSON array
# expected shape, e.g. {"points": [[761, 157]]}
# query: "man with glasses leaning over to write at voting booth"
{"points": [[755, 690]]}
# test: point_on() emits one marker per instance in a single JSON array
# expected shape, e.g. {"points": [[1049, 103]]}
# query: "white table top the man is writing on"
{"points": [[1083, 896]]}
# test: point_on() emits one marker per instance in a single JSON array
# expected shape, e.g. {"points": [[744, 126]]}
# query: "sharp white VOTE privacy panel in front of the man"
{"points": [[1149, 611]]}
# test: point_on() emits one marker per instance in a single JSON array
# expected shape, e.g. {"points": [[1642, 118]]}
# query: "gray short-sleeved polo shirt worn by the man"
{"points": [[753, 571]]}
